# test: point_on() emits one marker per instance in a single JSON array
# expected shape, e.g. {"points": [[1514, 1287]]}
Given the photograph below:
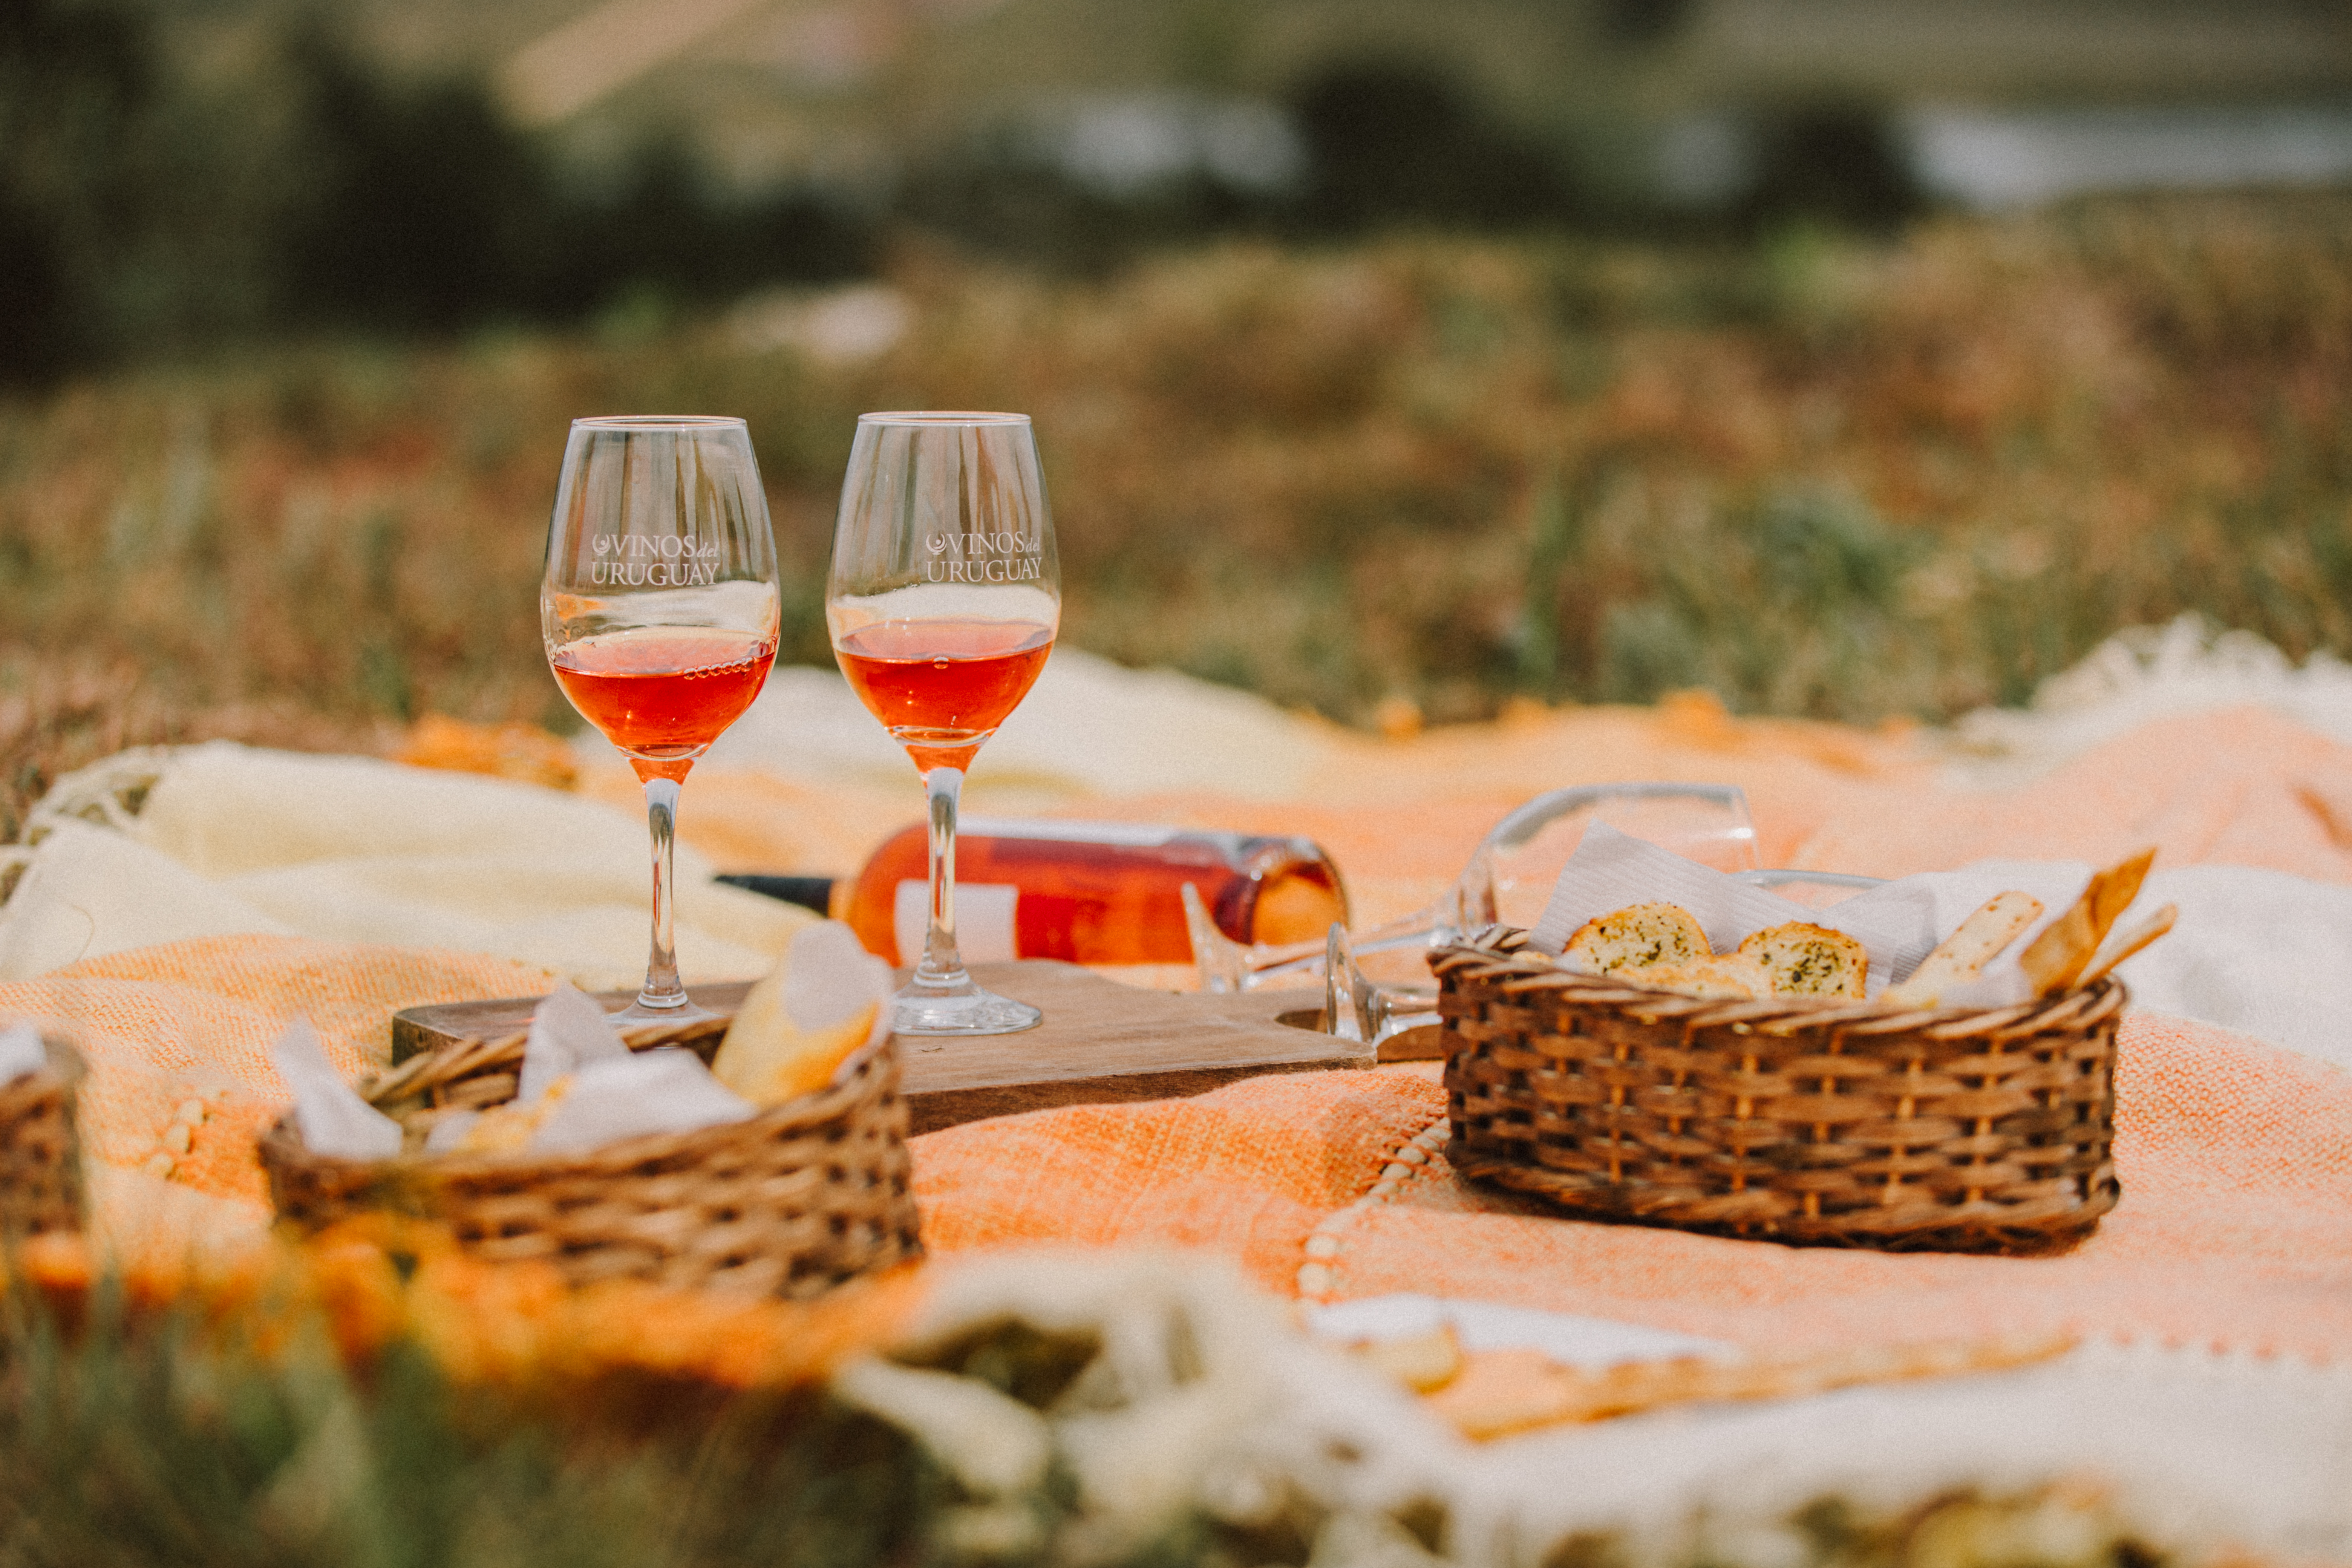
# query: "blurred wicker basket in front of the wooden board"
{"points": [[791, 1202]]}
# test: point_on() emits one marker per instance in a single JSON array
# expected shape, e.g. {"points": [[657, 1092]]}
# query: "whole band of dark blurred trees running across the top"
{"points": [[171, 185]]}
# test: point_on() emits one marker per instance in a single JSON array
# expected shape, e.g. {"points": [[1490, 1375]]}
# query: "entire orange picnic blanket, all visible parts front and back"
{"points": [[2236, 1158]]}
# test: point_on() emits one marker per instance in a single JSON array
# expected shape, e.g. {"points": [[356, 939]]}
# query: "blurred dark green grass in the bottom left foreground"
{"points": [[156, 1445]]}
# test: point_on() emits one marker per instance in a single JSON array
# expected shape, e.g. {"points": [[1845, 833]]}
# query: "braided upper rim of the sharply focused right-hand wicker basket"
{"points": [[1530, 972]]}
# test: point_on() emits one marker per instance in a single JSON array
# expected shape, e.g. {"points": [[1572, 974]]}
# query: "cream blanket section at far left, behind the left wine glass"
{"points": [[222, 840]]}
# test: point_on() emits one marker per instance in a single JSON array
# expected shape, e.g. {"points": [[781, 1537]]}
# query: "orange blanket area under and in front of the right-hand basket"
{"points": [[2236, 1231]]}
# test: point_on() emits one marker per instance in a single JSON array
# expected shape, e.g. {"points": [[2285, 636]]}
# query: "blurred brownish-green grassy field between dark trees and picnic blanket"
{"points": [[1819, 476]]}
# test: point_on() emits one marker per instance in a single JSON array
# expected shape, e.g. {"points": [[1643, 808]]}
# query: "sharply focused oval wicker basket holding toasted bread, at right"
{"points": [[1819, 1125]]}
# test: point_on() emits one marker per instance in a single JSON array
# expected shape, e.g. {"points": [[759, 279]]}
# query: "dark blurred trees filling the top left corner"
{"points": [[156, 206]]}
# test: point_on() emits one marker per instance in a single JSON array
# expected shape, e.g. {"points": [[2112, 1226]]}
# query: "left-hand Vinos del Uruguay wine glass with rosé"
{"points": [[660, 610]]}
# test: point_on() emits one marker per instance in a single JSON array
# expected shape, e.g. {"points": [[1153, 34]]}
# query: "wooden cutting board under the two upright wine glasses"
{"points": [[1100, 1043]]}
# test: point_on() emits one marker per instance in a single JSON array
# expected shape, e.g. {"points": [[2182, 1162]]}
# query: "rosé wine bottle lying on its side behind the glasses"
{"points": [[1083, 892]]}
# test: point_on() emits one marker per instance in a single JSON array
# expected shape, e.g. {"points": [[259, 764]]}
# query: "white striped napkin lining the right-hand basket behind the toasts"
{"points": [[1899, 923]]}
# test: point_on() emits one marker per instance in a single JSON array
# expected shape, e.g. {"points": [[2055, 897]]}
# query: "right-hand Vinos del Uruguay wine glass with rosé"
{"points": [[944, 603]]}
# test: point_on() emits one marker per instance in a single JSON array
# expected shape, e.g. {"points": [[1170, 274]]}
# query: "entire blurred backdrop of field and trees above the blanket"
{"points": [[1518, 351]]}
